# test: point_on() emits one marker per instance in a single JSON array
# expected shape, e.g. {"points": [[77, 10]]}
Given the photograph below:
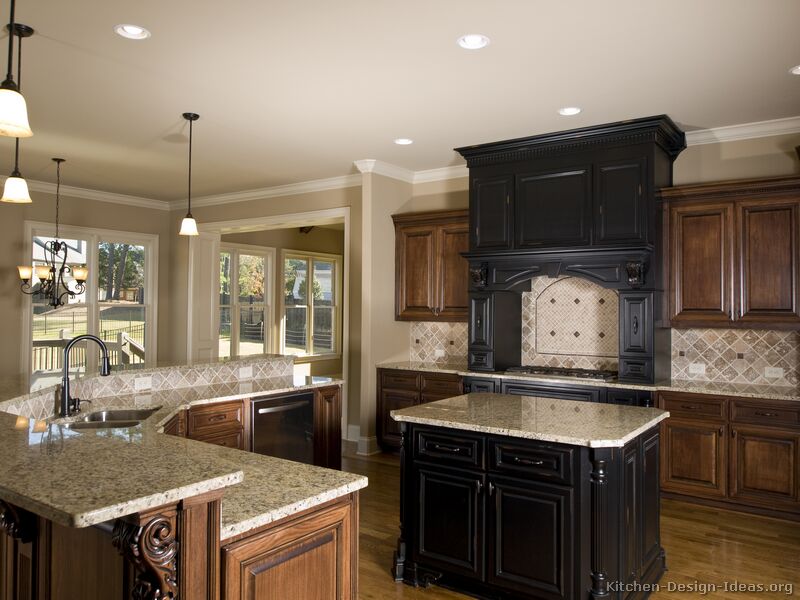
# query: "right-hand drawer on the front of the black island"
{"points": [[532, 460]]}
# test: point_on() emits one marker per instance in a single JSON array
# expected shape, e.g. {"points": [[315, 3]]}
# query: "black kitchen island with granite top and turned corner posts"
{"points": [[507, 496]]}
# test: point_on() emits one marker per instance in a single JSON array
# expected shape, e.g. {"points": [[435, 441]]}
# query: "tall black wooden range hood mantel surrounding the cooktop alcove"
{"points": [[580, 203]]}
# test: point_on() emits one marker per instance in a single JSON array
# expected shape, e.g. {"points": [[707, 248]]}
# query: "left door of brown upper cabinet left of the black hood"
{"points": [[415, 279]]}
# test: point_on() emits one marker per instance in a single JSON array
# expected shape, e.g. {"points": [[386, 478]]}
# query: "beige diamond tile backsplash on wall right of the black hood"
{"points": [[737, 356]]}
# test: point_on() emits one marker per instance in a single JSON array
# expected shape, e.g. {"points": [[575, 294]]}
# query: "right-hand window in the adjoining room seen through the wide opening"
{"points": [[311, 313]]}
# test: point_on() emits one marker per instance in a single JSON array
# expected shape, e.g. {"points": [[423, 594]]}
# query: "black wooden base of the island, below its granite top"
{"points": [[504, 517]]}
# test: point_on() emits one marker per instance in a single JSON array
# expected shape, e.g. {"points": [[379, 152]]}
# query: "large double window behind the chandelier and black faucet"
{"points": [[117, 305]]}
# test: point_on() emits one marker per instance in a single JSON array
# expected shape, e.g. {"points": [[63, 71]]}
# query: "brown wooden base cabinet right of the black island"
{"points": [[741, 453]]}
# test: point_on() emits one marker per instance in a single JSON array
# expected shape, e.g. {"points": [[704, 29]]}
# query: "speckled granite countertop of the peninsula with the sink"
{"points": [[74, 477]]}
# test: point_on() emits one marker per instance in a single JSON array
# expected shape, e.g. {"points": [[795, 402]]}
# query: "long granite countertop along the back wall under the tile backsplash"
{"points": [[741, 390]]}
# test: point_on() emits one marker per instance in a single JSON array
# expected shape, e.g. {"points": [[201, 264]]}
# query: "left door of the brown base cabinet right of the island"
{"points": [[694, 458]]}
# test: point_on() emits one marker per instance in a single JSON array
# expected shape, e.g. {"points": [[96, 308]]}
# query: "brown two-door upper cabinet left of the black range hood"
{"points": [[431, 276]]}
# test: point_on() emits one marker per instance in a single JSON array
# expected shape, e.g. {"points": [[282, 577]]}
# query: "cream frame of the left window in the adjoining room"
{"points": [[268, 253]]}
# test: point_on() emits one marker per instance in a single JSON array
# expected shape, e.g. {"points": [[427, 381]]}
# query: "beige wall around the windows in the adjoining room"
{"points": [[319, 239]]}
